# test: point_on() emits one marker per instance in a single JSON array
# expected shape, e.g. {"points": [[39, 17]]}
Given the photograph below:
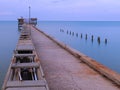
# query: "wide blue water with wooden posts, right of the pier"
{"points": [[99, 40]]}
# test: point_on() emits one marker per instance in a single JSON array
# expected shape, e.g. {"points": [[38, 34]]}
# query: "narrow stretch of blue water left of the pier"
{"points": [[8, 38]]}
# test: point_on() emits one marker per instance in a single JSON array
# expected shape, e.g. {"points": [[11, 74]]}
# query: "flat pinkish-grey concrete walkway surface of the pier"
{"points": [[63, 71]]}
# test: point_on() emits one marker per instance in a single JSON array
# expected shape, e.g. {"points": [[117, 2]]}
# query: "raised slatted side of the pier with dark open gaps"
{"points": [[25, 71]]}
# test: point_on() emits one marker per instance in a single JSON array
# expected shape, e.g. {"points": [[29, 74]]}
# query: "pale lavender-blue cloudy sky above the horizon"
{"points": [[61, 10]]}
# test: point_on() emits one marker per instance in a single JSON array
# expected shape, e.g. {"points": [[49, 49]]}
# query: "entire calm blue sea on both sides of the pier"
{"points": [[107, 54]]}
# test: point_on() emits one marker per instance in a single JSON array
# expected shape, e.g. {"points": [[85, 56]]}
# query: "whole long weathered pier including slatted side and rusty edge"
{"points": [[52, 65]]}
